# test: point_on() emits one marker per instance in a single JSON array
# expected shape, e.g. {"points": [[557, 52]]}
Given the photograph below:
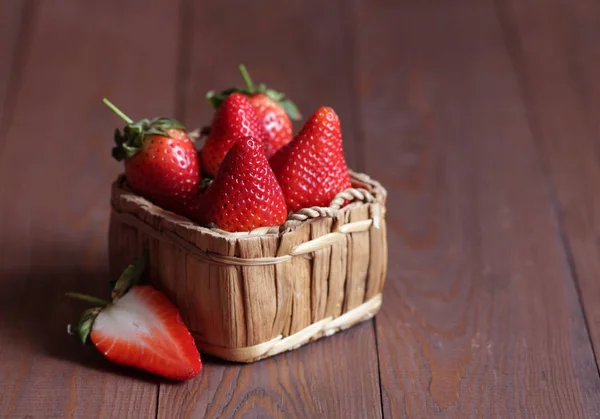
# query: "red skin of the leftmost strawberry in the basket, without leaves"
{"points": [[166, 170]]}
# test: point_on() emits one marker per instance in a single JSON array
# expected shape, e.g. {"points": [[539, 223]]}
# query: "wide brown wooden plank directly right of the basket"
{"points": [[480, 313]]}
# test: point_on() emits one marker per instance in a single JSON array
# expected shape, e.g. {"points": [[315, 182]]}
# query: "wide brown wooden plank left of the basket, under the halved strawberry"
{"points": [[55, 174]]}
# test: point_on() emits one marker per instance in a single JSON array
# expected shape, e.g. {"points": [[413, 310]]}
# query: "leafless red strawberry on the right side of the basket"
{"points": [[311, 169]]}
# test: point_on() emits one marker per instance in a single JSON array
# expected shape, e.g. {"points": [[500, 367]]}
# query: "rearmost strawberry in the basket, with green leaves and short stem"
{"points": [[273, 109]]}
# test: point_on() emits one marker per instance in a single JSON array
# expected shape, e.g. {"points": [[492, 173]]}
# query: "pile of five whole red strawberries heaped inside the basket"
{"points": [[251, 171]]}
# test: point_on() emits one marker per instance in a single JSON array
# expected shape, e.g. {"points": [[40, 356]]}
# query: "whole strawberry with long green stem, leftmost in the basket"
{"points": [[161, 161]]}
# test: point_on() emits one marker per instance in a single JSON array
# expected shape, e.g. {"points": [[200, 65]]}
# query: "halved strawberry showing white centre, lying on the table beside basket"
{"points": [[140, 328]]}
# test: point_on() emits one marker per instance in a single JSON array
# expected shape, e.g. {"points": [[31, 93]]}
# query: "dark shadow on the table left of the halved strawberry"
{"points": [[34, 314]]}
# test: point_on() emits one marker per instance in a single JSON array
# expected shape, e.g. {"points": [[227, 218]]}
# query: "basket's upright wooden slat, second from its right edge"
{"points": [[358, 260]]}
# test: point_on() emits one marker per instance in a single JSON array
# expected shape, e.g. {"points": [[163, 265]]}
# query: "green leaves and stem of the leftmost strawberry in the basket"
{"points": [[131, 140]]}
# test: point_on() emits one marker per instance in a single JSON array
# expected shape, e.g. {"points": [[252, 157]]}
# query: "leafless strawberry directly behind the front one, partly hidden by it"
{"points": [[234, 119]]}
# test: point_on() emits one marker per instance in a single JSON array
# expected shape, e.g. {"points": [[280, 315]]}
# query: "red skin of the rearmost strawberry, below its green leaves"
{"points": [[275, 122]]}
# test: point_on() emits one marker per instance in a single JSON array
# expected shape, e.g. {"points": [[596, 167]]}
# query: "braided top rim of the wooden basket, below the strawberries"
{"points": [[375, 192]]}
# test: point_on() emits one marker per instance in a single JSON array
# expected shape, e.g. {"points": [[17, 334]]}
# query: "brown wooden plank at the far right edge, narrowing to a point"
{"points": [[557, 59]]}
